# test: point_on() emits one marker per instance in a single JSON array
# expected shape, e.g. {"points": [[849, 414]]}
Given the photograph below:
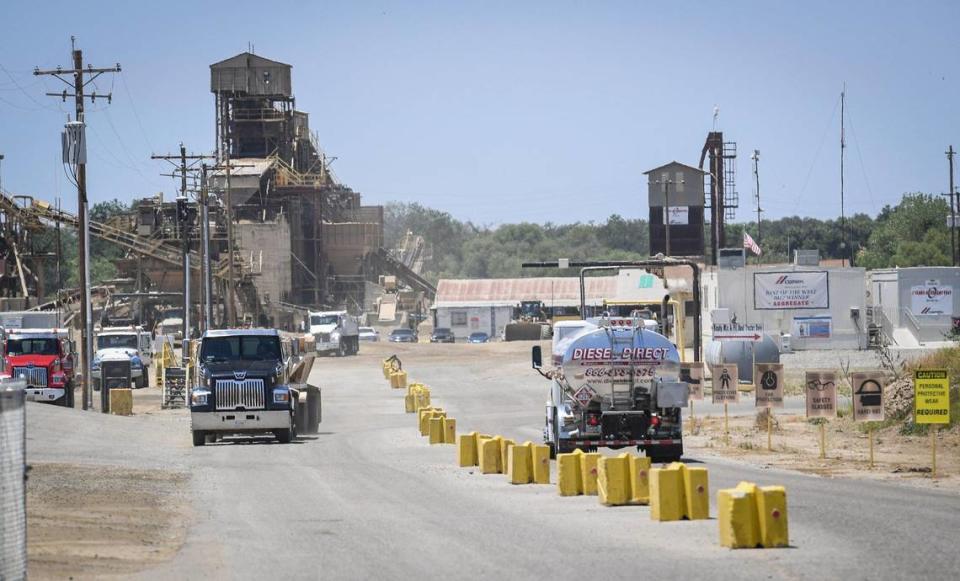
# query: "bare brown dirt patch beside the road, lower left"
{"points": [[88, 521]]}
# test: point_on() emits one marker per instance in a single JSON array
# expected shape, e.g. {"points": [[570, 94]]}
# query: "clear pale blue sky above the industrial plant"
{"points": [[509, 111]]}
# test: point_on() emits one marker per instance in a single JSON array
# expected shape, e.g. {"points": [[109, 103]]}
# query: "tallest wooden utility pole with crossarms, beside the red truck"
{"points": [[81, 78]]}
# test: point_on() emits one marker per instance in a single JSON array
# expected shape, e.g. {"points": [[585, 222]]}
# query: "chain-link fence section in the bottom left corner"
{"points": [[13, 489]]}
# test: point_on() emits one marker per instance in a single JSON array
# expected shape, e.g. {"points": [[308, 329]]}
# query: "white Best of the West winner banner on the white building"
{"points": [[791, 290]]}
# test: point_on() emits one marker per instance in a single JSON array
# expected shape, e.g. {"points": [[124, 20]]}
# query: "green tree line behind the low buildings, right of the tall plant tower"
{"points": [[912, 233]]}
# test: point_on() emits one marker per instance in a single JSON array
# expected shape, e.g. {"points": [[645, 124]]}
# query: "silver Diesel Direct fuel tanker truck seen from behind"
{"points": [[614, 386]]}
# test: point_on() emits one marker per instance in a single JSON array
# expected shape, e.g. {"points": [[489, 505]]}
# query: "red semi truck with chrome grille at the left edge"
{"points": [[44, 358]]}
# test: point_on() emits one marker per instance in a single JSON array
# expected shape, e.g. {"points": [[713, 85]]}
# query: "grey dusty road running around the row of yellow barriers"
{"points": [[368, 498]]}
